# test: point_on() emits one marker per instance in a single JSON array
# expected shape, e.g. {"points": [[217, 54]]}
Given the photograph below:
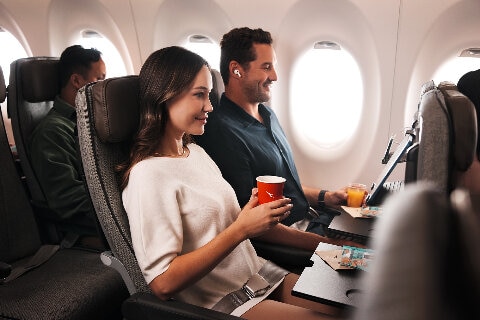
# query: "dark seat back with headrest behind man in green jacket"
{"points": [[32, 88]]}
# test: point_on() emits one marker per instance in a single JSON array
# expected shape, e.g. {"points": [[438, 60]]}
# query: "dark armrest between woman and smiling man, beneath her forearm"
{"points": [[286, 257]]}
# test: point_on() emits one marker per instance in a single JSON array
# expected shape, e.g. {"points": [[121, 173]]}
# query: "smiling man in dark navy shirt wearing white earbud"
{"points": [[244, 137]]}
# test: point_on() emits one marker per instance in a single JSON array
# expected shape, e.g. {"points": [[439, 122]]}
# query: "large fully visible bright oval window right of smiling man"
{"points": [[326, 95]]}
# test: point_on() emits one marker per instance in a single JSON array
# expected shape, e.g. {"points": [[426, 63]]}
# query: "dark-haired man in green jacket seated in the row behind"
{"points": [[52, 145]]}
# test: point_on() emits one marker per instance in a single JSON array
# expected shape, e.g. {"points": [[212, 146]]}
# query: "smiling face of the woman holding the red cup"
{"points": [[188, 112]]}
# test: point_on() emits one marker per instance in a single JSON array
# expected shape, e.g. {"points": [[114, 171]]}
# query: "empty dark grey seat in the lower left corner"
{"points": [[45, 281]]}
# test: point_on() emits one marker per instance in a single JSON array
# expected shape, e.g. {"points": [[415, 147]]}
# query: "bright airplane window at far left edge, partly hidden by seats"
{"points": [[15, 51]]}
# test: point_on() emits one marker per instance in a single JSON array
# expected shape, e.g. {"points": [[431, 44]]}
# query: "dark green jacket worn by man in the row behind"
{"points": [[55, 162]]}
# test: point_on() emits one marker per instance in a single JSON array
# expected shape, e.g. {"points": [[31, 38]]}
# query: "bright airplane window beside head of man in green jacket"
{"points": [[110, 55]]}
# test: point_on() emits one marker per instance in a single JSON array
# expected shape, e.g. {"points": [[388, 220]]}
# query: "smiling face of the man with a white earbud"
{"points": [[259, 77]]}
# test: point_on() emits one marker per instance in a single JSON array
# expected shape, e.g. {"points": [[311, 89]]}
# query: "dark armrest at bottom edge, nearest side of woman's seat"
{"points": [[146, 306]]}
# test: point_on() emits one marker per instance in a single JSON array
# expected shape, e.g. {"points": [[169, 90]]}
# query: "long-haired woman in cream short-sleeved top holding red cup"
{"points": [[189, 234]]}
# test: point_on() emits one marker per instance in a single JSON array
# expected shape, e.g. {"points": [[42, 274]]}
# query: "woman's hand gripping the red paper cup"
{"points": [[256, 219]]}
